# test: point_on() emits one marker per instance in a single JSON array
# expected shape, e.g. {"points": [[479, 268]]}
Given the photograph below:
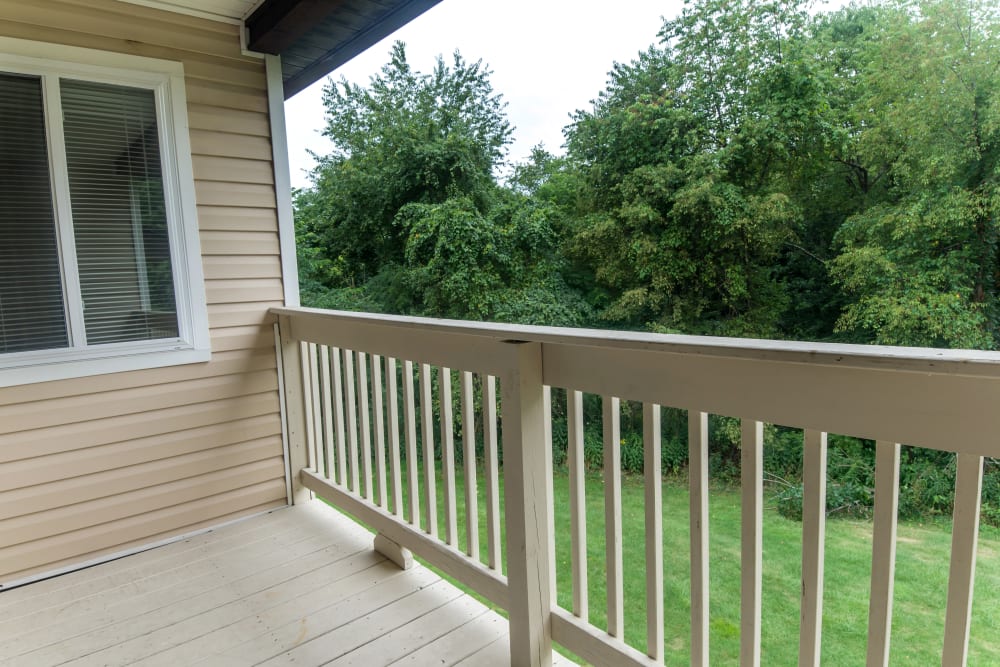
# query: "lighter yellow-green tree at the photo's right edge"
{"points": [[921, 267]]}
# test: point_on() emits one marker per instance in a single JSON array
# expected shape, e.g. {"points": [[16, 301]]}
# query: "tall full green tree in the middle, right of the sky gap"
{"points": [[680, 221]]}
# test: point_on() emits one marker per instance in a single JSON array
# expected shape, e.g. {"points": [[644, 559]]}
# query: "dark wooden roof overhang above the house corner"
{"points": [[314, 37]]}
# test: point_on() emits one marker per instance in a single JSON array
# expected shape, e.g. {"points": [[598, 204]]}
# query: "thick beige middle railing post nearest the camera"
{"points": [[525, 492]]}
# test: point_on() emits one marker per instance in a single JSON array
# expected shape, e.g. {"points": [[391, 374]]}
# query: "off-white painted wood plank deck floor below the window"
{"points": [[299, 586]]}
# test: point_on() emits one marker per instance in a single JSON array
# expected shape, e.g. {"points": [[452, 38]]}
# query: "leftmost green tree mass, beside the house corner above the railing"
{"points": [[406, 214]]}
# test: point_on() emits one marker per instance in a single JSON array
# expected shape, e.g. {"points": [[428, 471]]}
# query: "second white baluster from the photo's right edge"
{"points": [[883, 552]]}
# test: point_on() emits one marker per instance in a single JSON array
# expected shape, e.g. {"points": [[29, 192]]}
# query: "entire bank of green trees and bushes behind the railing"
{"points": [[760, 171]]}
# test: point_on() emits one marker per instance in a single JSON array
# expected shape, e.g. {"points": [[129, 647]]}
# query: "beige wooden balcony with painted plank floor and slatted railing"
{"points": [[406, 424]]}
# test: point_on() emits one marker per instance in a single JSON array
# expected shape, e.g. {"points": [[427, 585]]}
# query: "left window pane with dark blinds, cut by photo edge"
{"points": [[32, 316]]}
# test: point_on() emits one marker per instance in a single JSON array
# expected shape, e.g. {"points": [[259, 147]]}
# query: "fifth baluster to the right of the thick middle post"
{"points": [[751, 544]]}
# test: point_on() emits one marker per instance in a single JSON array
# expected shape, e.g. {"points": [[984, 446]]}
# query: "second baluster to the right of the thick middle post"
{"points": [[613, 514]]}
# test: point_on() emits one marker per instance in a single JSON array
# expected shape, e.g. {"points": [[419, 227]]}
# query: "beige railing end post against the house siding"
{"points": [[293, 401]]}
